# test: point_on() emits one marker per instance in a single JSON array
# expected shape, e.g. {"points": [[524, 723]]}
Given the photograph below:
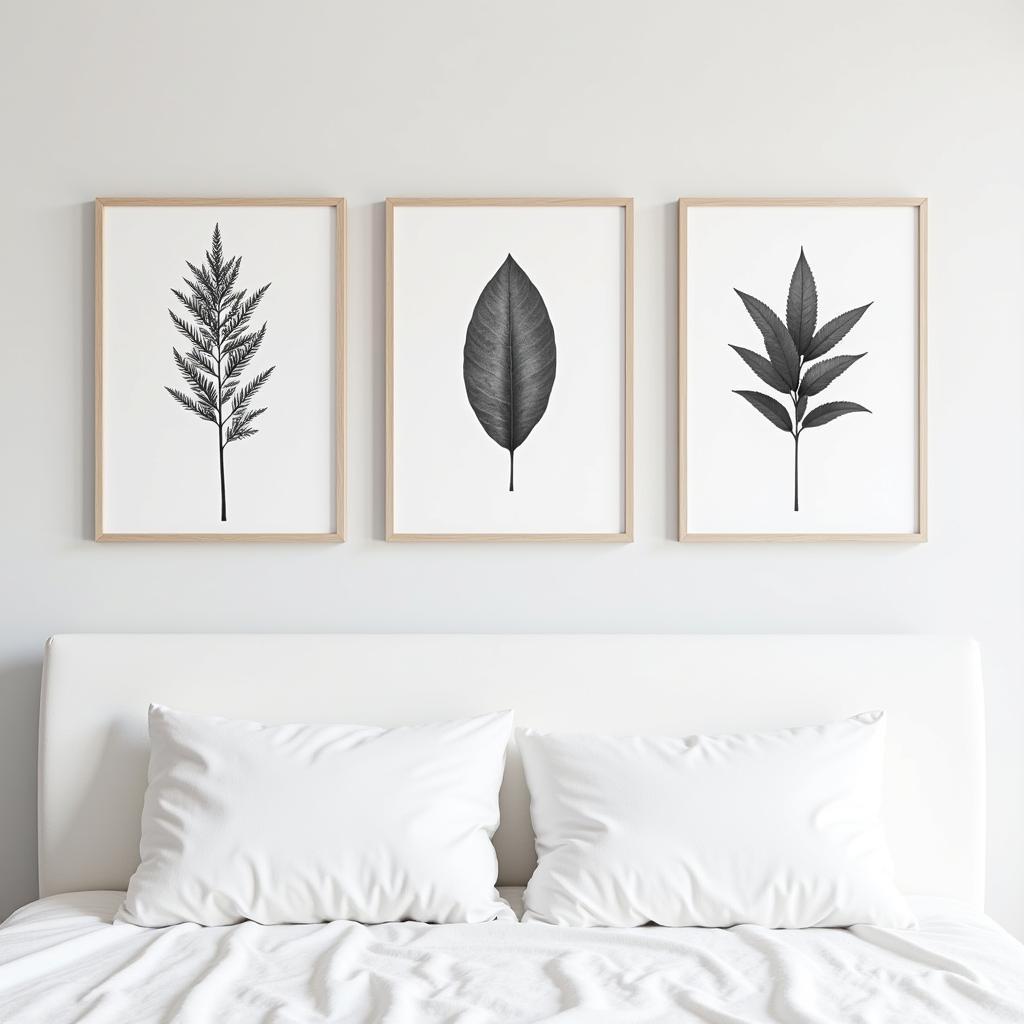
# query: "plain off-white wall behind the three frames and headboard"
{"points": [[653, 100]]}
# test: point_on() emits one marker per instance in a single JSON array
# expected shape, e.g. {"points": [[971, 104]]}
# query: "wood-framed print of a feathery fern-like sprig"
{"points": [[221, 369]]}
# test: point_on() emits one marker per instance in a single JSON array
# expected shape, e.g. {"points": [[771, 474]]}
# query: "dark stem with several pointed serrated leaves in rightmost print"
{"points": [[791, 348]]}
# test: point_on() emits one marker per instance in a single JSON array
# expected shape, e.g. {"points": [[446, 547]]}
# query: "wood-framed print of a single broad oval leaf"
{"points": [[509, 370]]}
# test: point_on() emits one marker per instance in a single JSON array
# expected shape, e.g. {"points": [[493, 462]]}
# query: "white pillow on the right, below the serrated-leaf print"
{"points": [[778, 829]]}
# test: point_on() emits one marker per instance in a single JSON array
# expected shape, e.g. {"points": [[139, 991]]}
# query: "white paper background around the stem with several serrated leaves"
{"points": [[858, 475]]}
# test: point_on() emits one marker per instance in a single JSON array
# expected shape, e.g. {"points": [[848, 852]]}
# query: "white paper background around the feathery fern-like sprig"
{"points": [[160, 462]]}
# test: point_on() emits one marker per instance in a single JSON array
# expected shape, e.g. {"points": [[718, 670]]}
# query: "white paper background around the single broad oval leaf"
{"points": [[449, 476]]}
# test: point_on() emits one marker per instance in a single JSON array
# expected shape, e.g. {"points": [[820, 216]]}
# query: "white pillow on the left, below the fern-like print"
{"points": [[280, 824]]}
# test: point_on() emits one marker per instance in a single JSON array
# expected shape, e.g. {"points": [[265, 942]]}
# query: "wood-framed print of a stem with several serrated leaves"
{"points": [[802, 369]]}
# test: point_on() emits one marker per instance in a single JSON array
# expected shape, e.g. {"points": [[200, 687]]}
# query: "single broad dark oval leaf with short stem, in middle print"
{"points": [[509, 359]]}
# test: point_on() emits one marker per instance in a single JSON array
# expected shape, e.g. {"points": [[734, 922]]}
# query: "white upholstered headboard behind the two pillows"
{"points": [[97, 691]]}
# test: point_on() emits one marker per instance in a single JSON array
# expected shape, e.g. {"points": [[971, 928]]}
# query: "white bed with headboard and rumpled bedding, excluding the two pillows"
{"points": [[62, 959]]}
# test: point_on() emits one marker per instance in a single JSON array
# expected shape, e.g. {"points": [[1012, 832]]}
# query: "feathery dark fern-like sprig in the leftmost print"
{"points": [[223, 346]]}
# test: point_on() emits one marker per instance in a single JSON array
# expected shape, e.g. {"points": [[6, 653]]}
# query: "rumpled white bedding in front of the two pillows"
{"points": [[62, 960]]}
